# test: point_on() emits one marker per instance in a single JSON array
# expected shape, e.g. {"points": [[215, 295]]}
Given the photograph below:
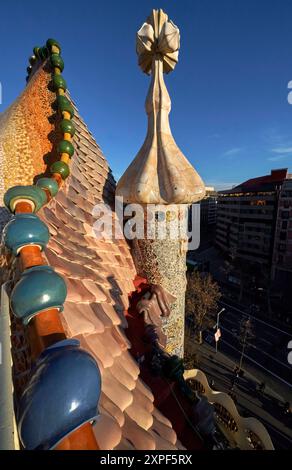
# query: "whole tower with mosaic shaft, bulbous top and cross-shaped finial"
{"points": [[161, 180]]}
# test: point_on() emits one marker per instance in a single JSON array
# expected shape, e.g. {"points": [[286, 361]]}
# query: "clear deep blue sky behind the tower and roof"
{"points": [[230, 114]]}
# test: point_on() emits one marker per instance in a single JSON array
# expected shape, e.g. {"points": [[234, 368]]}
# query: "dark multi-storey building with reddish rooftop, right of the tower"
{"points": [[247, 218]]}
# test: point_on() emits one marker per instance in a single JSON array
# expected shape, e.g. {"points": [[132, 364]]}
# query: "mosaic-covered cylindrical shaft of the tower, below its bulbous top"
{"points": [[162, 260]]}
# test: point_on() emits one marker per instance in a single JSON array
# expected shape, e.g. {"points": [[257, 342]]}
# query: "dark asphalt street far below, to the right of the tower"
{"points": [[265, 360]]}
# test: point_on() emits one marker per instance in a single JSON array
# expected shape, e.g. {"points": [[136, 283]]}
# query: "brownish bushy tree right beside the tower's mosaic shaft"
{"points": [[202, 296]]}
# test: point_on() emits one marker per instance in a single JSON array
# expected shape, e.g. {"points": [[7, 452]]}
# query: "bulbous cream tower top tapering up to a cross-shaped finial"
{"points": [[160, 173]]}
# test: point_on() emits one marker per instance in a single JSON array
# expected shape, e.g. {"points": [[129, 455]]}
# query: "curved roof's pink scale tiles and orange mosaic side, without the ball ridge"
{"points": [[99, 273]]}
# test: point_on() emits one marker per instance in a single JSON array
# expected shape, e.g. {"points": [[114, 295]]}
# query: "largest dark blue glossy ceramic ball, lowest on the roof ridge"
{"points": [[62, 395]]}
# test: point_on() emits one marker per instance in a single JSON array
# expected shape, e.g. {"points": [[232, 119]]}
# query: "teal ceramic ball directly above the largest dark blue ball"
{"points": [[38, 289]]}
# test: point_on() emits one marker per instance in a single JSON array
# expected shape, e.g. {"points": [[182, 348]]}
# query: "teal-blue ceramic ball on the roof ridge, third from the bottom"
{"points": [[23, 230]]}
